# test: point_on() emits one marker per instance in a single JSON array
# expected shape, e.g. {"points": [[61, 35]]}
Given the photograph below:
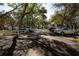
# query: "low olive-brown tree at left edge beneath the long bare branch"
{"points": [[6, 20]]}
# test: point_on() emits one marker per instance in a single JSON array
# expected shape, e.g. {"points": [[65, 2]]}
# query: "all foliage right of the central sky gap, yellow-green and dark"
{"points": [[69, 12]]}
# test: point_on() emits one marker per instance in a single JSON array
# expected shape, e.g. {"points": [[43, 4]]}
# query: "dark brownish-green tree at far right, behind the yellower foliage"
{"points": [[70, 12]]}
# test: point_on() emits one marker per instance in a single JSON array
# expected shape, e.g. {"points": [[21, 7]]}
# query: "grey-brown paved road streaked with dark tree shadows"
{"points": [[23, 43]]}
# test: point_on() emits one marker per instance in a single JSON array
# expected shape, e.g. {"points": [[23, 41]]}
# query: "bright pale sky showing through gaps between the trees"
{"points": [[50, 9]]}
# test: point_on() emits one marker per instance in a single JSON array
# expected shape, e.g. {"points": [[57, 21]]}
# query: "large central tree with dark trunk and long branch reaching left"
{"points": [[26, 14]]}
